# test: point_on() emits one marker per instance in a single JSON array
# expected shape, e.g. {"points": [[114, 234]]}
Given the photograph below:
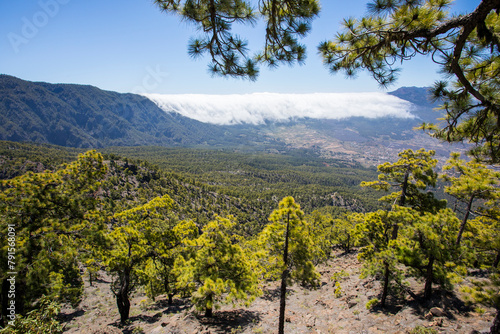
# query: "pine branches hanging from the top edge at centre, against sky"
{"points": [[286, 21]]}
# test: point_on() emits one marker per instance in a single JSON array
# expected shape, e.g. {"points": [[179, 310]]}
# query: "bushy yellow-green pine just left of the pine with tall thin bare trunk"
{"points": [[219, 271]]}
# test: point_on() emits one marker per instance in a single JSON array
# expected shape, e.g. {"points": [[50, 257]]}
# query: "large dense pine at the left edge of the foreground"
{"points": [[45, 213]]}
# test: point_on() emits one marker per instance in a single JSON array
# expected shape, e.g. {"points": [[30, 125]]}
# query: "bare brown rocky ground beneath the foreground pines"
{"points": [[308, 311]]}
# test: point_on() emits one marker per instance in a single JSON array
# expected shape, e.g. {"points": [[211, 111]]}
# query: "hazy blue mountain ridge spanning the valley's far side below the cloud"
{"points": [[85, 116]]}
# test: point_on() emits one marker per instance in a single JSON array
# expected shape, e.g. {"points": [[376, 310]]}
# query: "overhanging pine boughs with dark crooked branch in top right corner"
{"points": [[465, 46]]}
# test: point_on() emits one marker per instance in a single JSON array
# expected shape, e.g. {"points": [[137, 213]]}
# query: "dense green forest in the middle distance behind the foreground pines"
{"points": [[211, 181]]}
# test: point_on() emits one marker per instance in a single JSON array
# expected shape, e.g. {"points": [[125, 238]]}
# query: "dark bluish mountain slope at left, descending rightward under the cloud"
{"points": [[86, 116]]}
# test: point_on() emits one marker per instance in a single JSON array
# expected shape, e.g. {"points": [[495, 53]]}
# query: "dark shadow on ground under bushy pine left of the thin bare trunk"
{"points": [[225, 321]]}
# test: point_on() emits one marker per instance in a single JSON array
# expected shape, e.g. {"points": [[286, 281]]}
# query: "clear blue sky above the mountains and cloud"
{"points": [[130, 46]]}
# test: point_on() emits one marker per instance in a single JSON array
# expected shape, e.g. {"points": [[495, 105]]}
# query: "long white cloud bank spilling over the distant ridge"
{"points": [[260, 107]]}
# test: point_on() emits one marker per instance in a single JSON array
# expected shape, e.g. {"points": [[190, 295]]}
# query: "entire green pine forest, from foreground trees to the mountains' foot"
{"points": [[203, 229]]}
